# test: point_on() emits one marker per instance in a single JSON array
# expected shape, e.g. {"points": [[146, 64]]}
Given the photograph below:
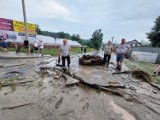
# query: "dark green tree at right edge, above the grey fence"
{"points": [[154, 35]]}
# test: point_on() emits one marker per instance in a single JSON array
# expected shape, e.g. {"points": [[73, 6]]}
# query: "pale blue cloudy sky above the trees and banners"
{"points": [[129, 19]]}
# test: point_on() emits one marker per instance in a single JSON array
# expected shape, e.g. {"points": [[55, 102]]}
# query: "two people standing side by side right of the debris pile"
{"points": [[120, 51]]}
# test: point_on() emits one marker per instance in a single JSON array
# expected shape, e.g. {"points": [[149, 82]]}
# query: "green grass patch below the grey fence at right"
{"points": [[145, 66]]}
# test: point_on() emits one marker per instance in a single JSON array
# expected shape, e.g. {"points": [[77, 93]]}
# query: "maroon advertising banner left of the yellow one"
{"points": [[6, 24]]}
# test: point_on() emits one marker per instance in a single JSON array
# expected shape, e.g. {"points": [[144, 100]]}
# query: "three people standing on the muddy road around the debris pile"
{"points": [[120, 50]]}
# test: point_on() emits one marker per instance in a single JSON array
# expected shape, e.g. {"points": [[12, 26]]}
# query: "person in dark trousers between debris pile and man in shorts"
{"points": [[107, 52]]}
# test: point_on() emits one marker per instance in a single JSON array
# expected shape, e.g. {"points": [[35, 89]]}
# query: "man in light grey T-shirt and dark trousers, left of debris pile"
{"points": [[65, 52]]}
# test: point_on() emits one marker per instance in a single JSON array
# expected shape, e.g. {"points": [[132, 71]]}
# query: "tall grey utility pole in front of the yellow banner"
{"points": [[25, 20]]}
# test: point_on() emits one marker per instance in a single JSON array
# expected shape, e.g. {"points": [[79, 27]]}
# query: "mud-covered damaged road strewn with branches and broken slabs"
{"points": [[81, 93]]}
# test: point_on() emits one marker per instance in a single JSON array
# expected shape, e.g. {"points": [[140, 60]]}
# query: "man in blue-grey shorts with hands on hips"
{"points": [[121, 50]]}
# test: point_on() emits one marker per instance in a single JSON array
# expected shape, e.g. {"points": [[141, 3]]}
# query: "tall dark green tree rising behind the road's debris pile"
{"points": [[96, 39]]}
